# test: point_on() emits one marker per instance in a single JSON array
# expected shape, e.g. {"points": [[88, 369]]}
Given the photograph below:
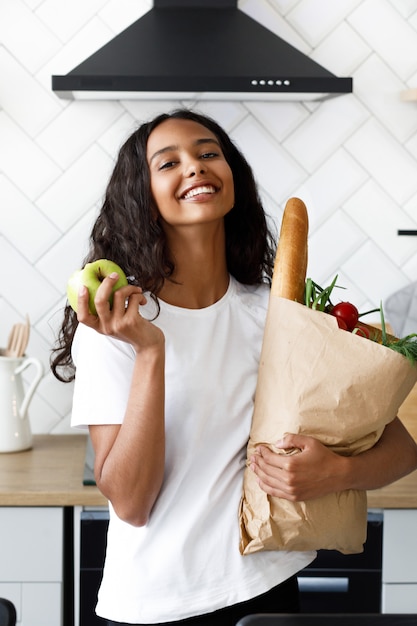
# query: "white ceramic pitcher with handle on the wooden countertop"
{"points": [[15, 431]]}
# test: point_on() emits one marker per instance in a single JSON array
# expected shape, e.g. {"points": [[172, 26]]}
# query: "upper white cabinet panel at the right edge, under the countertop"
{"points": [[399, 563]]}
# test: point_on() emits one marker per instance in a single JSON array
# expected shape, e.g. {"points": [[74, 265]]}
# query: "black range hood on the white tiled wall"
{"points": [[199, 49]]}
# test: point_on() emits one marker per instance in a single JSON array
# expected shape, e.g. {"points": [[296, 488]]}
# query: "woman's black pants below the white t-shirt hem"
{"points": [[280, 599]]}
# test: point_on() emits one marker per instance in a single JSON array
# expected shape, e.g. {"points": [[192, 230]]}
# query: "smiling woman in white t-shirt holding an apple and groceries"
{"points": [[168, 394]]}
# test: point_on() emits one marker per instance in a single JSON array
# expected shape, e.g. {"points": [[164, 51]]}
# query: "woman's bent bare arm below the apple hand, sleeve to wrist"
{"points": [[130, 458]]}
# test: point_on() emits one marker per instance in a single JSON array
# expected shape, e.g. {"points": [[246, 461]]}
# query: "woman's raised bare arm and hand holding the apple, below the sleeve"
{"points": [[130, 457]]}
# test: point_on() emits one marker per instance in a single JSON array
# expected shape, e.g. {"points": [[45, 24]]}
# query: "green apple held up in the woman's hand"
{"points": [[91, 276]]}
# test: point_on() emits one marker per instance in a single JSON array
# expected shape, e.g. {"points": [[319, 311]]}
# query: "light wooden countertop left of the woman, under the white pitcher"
{"points": [[50, 474]]}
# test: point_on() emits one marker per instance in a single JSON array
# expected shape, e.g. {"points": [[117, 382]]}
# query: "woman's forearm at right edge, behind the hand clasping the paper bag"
{"points": [[391, 458]]}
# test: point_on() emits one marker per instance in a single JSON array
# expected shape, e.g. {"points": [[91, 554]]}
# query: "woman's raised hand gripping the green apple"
{"points": [[123, 320]]}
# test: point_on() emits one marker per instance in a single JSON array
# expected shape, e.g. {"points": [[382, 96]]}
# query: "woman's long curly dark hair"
{"points": [[127, 233]]}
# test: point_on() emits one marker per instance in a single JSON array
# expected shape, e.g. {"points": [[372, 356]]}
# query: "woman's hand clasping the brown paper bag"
{"points": [[312, 472]]}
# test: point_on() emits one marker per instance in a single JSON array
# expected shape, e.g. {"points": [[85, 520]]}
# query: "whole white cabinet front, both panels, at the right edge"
{"points": [[399, 561]]}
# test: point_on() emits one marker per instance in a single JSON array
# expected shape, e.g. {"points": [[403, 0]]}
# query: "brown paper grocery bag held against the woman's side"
{"points": [[315, 379]]}
